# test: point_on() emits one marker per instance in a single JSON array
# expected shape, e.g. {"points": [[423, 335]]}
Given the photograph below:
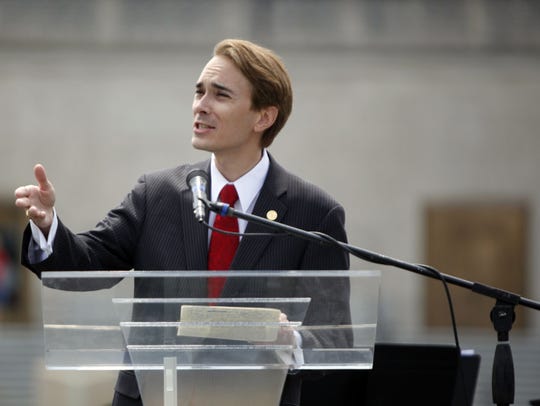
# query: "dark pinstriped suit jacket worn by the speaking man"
{"points": [[154, 229]]}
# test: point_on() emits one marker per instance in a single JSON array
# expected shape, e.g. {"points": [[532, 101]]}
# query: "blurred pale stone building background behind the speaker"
{"points": [[421, 117]]}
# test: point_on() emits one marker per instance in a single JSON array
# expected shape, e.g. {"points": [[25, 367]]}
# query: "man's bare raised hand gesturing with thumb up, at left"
{"points": [[38, 200]]}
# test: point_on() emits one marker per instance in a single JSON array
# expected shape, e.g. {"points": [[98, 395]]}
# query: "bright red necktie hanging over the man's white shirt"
{"points": [[222, 246]]}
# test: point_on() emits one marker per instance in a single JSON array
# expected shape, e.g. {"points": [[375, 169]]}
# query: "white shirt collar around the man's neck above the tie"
{"points": [[247, 186]]}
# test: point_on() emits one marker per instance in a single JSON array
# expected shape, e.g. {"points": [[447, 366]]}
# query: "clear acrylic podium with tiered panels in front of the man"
{"points": [[187, 349]]}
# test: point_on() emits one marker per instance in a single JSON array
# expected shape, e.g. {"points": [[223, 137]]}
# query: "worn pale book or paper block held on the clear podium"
{"points": [[230, 323]]}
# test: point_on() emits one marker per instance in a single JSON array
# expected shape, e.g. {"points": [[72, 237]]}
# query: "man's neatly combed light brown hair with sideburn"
{"points": [[270, 82]]}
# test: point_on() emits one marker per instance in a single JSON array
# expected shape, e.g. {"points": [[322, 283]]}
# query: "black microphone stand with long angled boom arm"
{"points": [[502, 315]]}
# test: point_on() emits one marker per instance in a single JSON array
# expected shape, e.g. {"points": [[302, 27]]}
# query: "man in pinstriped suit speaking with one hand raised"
{"points": [[242, 100]]}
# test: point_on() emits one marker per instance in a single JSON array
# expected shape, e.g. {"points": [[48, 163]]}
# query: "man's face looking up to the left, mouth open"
{"points": [[223, 121]]}
